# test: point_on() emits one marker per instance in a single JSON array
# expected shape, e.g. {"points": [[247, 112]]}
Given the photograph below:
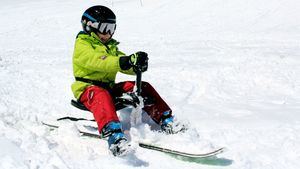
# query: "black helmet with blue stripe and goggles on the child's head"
{"points": [[99, 19]]}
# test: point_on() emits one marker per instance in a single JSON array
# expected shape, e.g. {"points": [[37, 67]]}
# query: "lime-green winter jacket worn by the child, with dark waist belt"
{"points": [[95, 61]]}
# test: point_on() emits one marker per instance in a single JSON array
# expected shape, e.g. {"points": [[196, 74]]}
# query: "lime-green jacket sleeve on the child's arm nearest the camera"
{"points": [[97, 59]]}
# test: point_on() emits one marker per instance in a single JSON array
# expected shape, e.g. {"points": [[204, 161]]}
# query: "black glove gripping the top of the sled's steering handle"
{"points": [[138, 61]]}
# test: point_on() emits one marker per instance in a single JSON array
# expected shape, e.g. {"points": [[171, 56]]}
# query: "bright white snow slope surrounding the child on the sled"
{"points": [[229, 67]]}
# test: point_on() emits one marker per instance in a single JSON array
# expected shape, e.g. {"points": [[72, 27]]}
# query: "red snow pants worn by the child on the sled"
{"points": [[100, 102]]}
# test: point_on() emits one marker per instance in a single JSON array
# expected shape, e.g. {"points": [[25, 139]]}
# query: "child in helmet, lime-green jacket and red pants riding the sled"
{"points": [[96, 61]]}
